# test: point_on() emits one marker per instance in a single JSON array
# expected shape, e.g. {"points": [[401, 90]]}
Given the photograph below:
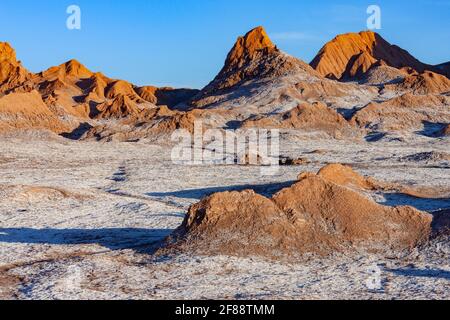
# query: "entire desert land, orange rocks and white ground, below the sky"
{"points": [[93, 205]]}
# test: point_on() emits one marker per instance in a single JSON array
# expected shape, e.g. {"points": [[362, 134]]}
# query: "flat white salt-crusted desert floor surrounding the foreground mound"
{"points": [[82, 219]]}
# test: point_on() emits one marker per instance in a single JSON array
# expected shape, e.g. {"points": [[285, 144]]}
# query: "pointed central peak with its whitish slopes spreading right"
{"points": [[259, 79]]}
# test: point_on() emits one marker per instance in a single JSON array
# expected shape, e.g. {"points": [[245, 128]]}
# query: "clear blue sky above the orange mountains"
{"points": [[183, 43]]}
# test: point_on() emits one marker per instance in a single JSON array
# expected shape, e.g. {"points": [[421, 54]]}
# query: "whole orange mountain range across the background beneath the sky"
{"points": [[259, 85]]}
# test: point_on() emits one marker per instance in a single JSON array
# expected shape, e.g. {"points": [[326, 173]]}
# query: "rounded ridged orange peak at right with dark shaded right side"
{"points": [[351, 55]]}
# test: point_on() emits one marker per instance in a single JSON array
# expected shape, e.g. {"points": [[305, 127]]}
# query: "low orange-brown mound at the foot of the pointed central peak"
{"points": [[308, 117]]}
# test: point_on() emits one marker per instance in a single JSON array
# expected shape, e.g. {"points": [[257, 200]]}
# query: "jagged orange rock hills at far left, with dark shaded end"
{"points": [[73, 94]]}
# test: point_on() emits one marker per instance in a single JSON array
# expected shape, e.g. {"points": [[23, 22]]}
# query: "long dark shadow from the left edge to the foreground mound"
{"points": [[140, 240]]}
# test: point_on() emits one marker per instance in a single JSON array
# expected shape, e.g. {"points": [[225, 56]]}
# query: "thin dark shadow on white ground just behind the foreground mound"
{"points": [[267, 190]]}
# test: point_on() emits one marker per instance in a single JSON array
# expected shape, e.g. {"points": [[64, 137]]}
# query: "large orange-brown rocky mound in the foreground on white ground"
{"points": [[314, 216]]}
